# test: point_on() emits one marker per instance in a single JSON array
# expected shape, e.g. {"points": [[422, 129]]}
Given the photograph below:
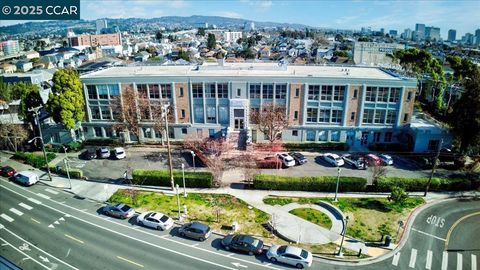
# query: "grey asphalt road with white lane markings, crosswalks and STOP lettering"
{"points": [[47, 228]]}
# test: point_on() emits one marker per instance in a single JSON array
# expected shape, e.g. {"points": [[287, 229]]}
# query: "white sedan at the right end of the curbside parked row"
{"points": [[295, 256]]}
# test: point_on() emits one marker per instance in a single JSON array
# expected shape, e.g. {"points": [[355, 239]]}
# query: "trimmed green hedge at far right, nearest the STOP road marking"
{"points": [[418, 184]]}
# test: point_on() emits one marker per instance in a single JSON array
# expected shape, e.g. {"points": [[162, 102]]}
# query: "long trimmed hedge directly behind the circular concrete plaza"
{"points": [[309, 183]]}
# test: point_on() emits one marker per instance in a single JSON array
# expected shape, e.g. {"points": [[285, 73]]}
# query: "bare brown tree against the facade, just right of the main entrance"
{"points": [[271, 120]]}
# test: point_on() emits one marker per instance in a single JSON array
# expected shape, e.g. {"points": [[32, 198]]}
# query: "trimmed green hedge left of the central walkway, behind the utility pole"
{"points": [[162, 178]]}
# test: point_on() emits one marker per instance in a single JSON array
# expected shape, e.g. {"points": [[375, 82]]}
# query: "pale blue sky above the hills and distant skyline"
{"points": [[464, 16]]}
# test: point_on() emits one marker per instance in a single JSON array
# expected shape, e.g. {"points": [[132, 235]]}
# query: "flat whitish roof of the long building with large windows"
{"points": [[247, 69]]}
